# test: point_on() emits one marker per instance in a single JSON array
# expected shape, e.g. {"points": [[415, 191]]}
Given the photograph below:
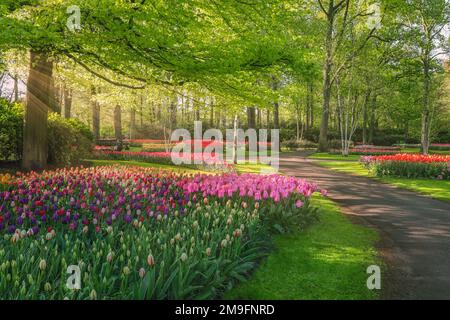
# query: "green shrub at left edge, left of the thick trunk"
{"points": [[11, 130]]}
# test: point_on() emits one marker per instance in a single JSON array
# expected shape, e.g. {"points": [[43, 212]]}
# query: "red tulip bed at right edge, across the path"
{"points": [[409, 165]]}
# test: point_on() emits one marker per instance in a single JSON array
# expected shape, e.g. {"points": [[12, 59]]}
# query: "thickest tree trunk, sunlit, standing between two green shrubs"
{"points": [[39, 91]]}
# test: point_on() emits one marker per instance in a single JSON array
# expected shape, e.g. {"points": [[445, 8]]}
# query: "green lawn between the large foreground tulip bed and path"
{"points": [[327, 261]]}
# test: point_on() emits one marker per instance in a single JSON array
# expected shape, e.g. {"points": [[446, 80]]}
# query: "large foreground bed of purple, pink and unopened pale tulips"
{"points": [[137, 233]]}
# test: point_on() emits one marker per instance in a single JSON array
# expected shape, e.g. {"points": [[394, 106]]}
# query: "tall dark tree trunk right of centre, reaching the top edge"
{"points": [[323, 138]]}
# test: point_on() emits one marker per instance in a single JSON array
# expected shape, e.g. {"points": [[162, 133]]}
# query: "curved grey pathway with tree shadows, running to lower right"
{"points": [[415, 229]]}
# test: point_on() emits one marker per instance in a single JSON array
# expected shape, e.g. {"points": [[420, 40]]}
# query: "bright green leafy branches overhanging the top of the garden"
{"points": [[168, 42]]}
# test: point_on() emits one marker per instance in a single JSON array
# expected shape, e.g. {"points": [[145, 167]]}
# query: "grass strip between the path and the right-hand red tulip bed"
{"points": [[435, 188]]}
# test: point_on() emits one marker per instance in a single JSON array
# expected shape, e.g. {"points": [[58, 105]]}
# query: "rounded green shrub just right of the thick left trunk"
{"points": [[69, 140]]}
